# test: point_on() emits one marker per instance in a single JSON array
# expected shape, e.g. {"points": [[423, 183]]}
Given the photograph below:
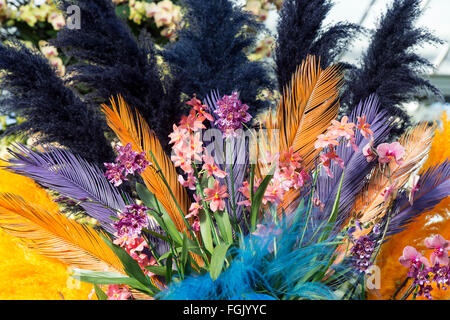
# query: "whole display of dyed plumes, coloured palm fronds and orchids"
{"points": [[195, 172]]}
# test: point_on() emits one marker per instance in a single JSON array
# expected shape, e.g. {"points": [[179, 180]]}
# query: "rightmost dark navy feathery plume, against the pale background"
{"points": [[390, 67]]}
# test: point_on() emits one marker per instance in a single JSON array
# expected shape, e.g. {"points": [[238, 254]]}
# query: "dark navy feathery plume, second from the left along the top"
{"points": [[112, 62]]}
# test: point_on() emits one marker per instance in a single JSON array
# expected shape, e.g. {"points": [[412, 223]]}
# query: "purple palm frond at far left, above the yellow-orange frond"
{"points": [[71, 176]]}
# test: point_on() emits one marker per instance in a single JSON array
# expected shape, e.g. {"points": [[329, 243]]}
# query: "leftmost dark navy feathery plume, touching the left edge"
{"points": [[36, 93]]}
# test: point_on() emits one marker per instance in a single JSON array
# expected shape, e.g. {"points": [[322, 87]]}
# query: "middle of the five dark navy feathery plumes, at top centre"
{"points": [[210, 53]]}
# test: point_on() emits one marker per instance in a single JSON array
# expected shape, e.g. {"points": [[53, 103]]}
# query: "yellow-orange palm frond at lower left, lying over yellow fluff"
{"points": [[54, 235]]}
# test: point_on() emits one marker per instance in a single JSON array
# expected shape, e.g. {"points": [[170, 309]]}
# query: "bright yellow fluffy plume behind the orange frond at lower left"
{"points": [[24, 273]]}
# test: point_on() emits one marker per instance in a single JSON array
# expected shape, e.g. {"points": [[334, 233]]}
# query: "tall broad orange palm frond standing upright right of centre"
{"points": [[305, 111]]}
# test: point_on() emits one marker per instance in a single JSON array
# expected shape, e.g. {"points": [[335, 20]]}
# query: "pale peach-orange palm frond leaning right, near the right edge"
{"points": [[416, 141]]}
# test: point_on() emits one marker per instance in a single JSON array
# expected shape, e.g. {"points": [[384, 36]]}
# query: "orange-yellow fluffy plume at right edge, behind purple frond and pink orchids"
{"points": [[437, 221]]}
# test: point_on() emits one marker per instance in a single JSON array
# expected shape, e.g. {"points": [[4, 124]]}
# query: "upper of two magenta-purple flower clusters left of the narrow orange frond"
{"points": [[127, 162]]}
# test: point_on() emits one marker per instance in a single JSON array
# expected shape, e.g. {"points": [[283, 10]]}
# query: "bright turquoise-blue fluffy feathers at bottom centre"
{"points": [[257, 269]]}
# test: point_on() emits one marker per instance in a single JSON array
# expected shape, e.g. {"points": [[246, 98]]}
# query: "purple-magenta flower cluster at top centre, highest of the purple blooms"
{"points": [[232, 114]]}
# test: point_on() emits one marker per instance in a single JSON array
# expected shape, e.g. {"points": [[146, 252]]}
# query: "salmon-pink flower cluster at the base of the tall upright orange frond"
{"points": [[288, 175]]}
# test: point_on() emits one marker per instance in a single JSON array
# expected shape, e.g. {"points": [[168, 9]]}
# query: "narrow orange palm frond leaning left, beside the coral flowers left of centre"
{"points": [[132, 128]]}
